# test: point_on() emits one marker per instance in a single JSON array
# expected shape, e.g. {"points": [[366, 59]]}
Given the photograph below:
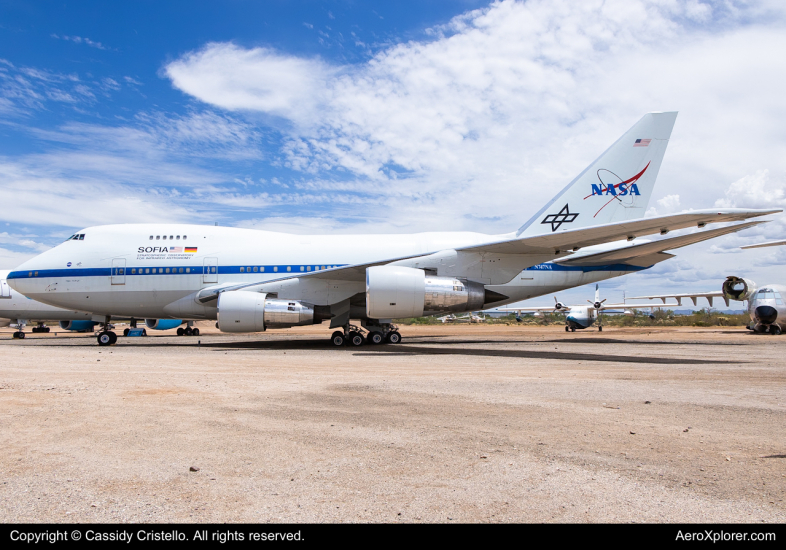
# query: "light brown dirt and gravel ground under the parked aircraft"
{"points": [[464, 423]]}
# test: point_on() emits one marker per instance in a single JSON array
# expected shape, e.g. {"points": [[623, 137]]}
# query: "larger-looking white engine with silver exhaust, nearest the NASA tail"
{"points": [[393, 292]]}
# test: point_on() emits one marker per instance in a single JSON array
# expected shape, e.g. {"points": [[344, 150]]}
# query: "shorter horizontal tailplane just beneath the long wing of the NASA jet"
{"points": [[647, 254]]}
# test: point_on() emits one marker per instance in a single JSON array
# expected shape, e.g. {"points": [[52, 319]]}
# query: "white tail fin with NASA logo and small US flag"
{"points": [[616, 187]]}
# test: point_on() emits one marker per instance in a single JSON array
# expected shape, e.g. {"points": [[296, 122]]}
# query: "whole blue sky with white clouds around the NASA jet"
{"points": [[383, 117]]}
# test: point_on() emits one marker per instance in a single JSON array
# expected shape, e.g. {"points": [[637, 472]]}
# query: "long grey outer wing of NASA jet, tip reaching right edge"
{"points": [[578, 238]]}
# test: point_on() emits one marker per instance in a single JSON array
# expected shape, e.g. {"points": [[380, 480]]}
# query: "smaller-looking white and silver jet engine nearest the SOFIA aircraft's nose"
{"points": [[240, 311]]}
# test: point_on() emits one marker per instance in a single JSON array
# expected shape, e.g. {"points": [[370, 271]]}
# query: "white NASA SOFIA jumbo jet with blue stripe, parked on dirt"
{"points": [[253, 280]]}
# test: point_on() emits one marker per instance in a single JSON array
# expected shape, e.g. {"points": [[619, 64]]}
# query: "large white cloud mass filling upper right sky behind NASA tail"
{"points": [[515, 99]]}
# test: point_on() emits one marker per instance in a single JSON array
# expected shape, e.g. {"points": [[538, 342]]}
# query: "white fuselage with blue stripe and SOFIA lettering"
{"points": [[155, 271]]}
